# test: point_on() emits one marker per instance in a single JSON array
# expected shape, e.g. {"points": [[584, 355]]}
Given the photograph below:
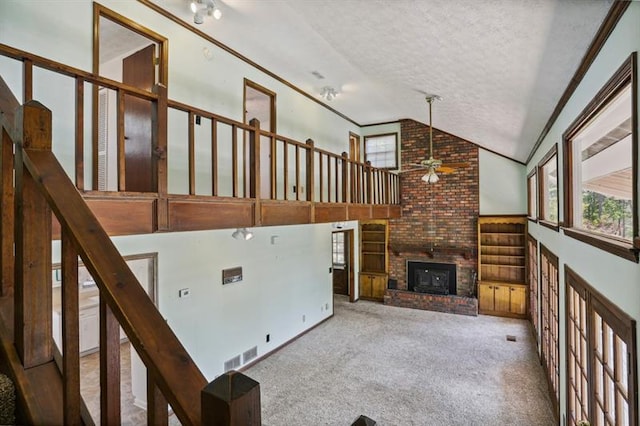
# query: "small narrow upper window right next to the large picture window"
{"points": [[548, 188]]}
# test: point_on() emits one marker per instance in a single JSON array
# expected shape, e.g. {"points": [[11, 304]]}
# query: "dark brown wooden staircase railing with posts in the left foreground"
{"points": [[46, 396]]}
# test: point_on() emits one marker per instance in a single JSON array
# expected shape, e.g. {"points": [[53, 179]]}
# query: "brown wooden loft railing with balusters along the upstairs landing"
{"points": [[358, 177]]}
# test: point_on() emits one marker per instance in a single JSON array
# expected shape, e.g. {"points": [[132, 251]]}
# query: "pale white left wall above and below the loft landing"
{"points": [[283, 281]]}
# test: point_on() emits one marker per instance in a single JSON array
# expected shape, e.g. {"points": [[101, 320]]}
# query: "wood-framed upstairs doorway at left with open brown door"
{"points": [[123, 157]]}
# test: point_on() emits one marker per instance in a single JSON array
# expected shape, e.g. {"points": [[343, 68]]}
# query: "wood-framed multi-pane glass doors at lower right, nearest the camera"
{"points": [[601, 358]]}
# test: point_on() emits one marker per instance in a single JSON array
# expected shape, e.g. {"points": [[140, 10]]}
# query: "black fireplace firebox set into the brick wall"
{"points": [[432, 278]]}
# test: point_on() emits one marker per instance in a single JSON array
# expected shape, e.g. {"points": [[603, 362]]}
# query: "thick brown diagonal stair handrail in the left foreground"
{"points": [[178, 377]]}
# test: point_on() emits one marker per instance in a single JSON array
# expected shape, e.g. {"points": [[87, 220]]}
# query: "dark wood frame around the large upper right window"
{"points": [[626, 74]]}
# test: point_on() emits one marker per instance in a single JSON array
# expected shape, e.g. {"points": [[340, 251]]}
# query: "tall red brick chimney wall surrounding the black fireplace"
{"points": [[443, 214]]}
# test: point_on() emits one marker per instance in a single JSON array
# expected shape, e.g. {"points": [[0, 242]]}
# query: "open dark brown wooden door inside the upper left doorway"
{"points": [[138, 70]]}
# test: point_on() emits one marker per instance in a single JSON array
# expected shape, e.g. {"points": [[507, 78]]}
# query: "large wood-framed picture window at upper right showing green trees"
{"points": [[600, 150]]}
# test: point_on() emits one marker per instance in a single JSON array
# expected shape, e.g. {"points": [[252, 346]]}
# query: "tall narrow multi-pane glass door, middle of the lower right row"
{"points": [[549, 343]]}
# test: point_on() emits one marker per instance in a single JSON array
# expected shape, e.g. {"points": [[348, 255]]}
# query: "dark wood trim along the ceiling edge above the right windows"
{"points": [[611, 20]]}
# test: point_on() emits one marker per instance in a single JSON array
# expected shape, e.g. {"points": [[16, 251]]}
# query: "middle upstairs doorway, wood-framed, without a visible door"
{"points": [[260, 103]]}
